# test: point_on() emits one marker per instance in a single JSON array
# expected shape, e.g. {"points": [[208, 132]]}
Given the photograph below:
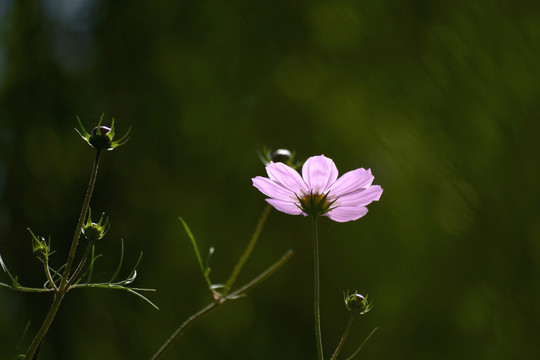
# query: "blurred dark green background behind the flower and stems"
{"points": [[439, 99]]}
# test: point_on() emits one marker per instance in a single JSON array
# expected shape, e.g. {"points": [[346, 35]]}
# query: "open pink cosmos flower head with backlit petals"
{"points": [[319, 191]]}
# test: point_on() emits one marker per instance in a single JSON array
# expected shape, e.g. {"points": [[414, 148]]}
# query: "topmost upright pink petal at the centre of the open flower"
{"points": [[319, 173]]}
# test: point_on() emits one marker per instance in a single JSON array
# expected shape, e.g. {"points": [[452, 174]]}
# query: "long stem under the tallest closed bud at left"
{"points": [[63, 288]]}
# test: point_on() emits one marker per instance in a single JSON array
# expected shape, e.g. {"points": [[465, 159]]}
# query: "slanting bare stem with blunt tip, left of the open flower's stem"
{"points": [[217, 304]]}
